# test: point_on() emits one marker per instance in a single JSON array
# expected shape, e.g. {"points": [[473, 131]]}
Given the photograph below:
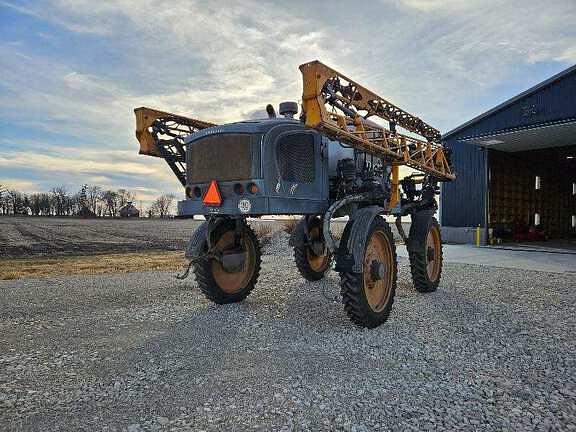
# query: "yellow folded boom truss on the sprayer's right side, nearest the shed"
{"points": [[340, 108]]}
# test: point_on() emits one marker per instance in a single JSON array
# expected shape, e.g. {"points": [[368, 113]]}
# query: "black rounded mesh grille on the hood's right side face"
{"points": [[295, 155]]}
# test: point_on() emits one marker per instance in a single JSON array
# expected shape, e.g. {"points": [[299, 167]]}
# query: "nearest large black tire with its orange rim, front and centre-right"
{"points": [[368, 296]]}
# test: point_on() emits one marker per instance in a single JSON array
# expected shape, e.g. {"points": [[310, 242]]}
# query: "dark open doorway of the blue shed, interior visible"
{"points": [[532, 195]]}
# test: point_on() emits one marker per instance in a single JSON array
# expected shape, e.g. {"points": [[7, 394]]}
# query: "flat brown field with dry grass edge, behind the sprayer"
{"points": [[40, 247]]}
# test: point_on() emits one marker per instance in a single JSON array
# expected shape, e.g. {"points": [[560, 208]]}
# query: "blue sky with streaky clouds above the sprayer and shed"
{"points": [[72, 71]]}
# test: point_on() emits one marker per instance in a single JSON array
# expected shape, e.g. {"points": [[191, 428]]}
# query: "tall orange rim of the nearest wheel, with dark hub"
{"points": [[378, 292]]}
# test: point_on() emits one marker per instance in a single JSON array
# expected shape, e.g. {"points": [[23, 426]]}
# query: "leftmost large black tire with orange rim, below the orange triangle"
{"points": [[224, 286]]}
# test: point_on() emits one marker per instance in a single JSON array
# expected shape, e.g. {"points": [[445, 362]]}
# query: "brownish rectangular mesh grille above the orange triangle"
{"points": [[220, 157]]}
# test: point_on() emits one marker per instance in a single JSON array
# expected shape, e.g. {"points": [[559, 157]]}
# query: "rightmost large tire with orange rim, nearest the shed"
{"points": [[425, 251]]}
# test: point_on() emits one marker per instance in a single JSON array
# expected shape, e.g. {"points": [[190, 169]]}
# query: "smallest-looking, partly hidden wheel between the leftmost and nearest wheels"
{"points": [[312, 264]]}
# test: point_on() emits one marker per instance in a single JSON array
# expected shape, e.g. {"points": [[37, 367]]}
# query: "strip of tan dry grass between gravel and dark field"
{"points": [[94, 264]]}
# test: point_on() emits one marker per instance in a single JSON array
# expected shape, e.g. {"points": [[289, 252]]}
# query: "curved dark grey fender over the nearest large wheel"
{"points": [[350, 255]]}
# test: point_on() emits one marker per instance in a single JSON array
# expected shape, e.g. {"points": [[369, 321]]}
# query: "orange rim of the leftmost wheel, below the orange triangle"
{"points": [[232, 282]]}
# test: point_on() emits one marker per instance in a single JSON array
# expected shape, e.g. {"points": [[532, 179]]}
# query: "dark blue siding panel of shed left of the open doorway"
{"points": [[463, 199]]}
